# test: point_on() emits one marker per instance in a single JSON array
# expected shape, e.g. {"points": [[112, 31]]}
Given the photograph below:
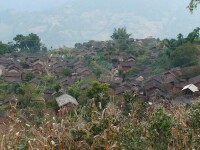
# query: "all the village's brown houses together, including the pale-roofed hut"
{"points": [[168, 85]]}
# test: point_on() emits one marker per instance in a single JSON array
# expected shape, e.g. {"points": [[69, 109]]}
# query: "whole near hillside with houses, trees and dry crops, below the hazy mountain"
{"points": [[100, 90]]}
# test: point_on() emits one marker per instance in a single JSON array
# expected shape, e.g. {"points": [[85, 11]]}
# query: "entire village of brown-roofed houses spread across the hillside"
{"points": [[171, 86]]}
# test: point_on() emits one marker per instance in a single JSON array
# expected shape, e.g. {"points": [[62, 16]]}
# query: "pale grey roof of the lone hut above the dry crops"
{"points": [[65, 99]]}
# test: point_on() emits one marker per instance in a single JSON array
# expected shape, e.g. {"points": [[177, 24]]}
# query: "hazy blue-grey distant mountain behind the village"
{"points": [[79, 21]]}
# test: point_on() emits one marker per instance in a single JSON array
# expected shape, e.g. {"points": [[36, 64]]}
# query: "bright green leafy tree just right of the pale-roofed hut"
{"points": [[99, 92]]}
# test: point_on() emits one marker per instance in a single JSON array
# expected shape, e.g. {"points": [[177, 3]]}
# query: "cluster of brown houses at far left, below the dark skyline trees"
{"points": [[15, 66]]}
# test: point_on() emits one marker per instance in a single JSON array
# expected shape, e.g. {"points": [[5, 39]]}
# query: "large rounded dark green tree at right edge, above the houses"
{"points": [[185, 55]]}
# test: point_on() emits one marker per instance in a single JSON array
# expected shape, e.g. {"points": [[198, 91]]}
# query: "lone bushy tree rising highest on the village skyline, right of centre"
{"points": [[120, 34]]}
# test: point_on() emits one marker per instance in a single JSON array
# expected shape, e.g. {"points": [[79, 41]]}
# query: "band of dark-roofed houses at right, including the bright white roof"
{"points": [[168, 85]]}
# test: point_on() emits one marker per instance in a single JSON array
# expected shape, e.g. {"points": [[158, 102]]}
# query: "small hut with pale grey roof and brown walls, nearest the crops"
{"points": [[66, 103]]}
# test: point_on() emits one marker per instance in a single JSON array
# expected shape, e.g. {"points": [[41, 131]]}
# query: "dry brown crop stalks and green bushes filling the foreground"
{"points": [[133, 125]]}
